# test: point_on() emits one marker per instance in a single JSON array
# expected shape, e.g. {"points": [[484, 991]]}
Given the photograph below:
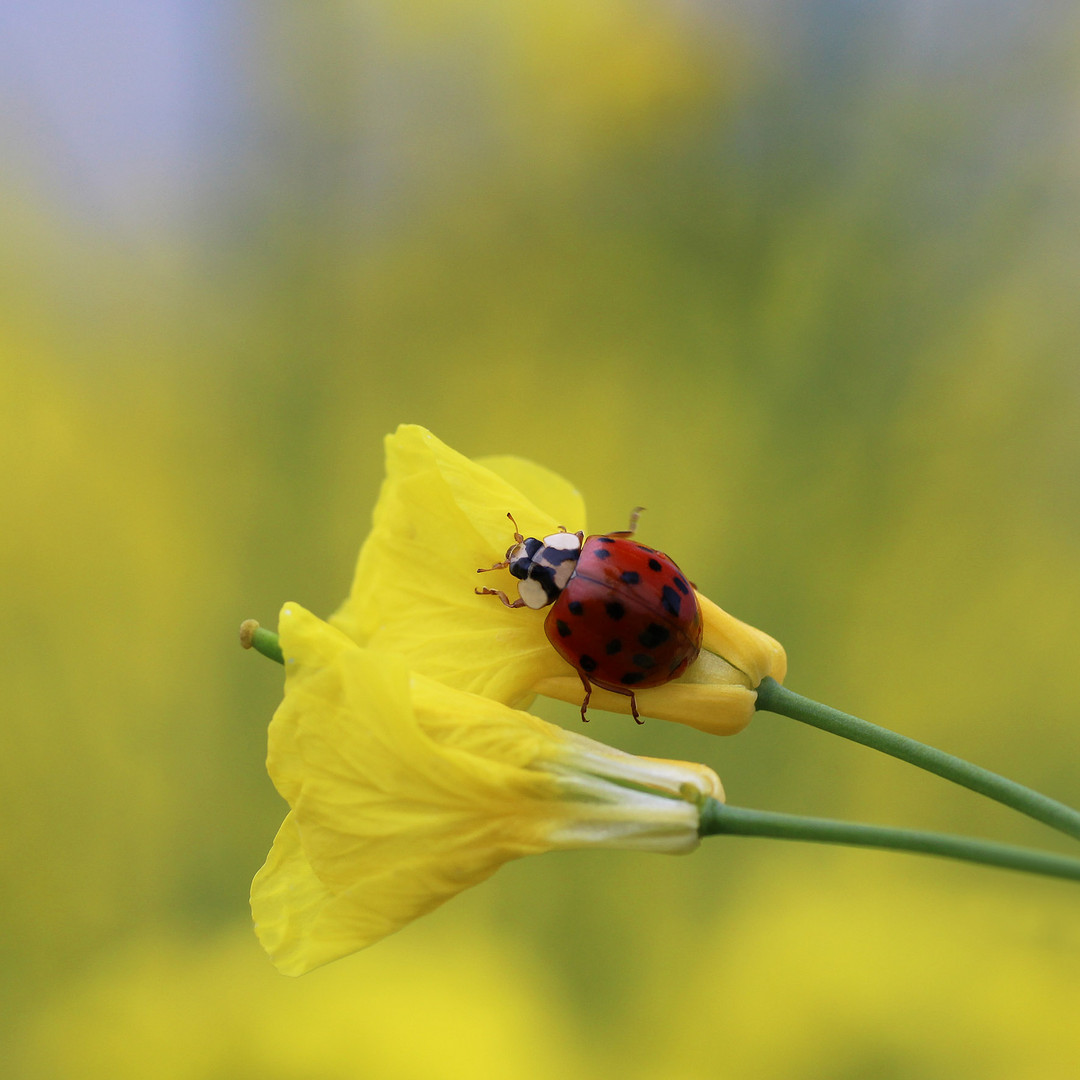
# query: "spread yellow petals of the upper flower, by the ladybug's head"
{"points": [[440, 518]]}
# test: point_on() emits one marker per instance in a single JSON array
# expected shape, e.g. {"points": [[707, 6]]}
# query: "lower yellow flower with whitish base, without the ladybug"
{"points": [[404, 792]]}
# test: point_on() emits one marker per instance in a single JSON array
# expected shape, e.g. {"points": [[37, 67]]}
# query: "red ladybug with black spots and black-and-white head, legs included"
{"points": [[623, 615]]}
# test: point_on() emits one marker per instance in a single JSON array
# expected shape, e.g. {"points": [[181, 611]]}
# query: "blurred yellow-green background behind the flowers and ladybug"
{"points": [[799, 277]]}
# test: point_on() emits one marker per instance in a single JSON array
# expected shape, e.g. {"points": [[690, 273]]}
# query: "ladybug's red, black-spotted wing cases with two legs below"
{"points": [[627, 620]]}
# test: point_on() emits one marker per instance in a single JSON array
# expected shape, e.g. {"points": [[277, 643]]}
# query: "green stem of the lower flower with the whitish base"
{"points": [[721, 820]]}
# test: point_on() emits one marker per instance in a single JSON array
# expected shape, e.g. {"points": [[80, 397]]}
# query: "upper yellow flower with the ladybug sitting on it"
{"points": [[439, 518]]}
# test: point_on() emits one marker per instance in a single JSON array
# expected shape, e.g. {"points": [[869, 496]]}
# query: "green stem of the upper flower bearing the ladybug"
{"points": [[778, 699]]}
